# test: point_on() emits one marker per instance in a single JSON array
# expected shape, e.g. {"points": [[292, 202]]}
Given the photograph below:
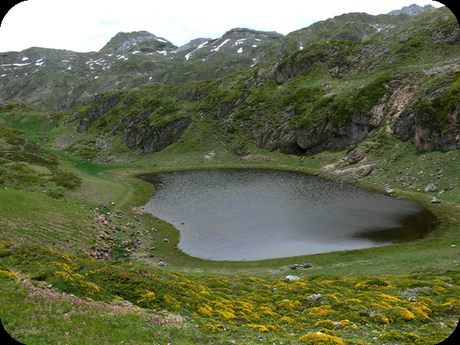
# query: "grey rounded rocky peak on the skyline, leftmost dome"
{"points": [[136, 40]]}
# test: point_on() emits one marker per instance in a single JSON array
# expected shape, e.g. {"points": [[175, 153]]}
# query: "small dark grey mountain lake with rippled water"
{"points": [[251, 214]]}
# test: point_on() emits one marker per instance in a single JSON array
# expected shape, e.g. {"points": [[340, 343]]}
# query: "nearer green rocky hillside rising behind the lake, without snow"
{"points": [[331, 95]]}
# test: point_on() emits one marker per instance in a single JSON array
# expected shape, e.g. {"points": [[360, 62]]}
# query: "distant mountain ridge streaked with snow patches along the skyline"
{"points": [[61, 79]]}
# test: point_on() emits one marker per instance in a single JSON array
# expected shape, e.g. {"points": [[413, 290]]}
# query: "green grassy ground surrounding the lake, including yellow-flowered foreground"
{"points": [[53, 292]]}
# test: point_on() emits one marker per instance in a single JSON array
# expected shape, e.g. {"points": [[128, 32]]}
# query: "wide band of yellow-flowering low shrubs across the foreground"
{"points": [[272, 306]]}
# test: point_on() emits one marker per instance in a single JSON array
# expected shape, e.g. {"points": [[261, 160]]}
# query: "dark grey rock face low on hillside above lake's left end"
{"points": [[153, 138]]}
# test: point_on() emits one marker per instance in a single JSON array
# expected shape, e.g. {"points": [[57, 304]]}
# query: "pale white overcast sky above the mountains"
{"points": [[87, 25]]}
